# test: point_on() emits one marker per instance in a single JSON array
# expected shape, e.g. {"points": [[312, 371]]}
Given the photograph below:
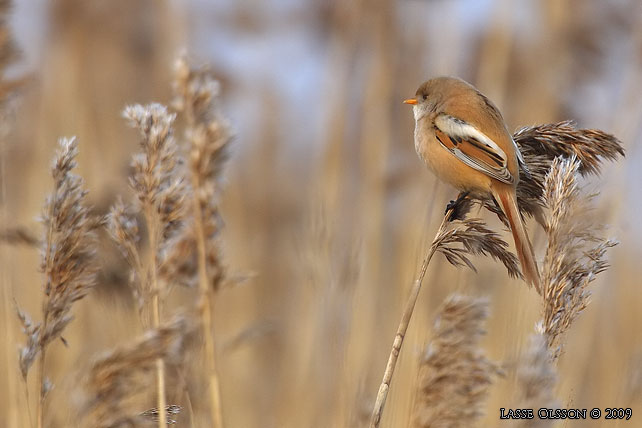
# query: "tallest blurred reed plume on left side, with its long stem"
{"points": [[208, 136]]}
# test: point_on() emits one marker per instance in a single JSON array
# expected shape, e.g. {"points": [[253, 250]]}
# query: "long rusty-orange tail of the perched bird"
{"points": [[508, 203]]}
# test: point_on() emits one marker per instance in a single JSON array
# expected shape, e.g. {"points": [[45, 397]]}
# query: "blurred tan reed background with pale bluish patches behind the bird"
{"points": [[327, 208]]}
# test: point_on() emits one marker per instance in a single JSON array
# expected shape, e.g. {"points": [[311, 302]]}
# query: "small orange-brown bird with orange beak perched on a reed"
{"points": [[463, 139]]}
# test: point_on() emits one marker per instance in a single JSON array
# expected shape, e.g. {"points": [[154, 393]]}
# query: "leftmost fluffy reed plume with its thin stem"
{"points": [[67, 263]]}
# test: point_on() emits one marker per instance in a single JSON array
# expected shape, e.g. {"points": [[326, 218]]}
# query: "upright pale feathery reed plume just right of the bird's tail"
{"points": [[574, 255]]}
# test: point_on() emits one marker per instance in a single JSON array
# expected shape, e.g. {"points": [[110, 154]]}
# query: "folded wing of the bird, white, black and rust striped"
{"points": [[473, 147]]}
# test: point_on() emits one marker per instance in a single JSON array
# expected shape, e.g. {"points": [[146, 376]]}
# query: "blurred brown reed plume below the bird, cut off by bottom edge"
{"points": [[455, 375]]}
